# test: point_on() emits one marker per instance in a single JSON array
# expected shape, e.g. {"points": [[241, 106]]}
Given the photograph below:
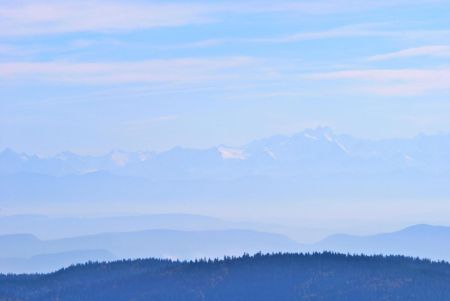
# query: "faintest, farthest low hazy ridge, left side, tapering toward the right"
{"points": [[50, 228]]}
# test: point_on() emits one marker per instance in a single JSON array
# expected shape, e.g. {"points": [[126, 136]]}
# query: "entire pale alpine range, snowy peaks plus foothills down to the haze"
{"points": [[280, 167]]}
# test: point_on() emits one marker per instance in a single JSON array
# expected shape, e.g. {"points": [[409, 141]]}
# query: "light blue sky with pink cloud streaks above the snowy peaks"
{"points": [[92, 76]]}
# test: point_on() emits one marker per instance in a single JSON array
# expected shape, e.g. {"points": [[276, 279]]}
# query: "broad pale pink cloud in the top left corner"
{"points": [[47, 17]]}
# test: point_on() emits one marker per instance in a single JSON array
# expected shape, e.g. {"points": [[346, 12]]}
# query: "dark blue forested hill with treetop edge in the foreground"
{"points": [[280, 277]]}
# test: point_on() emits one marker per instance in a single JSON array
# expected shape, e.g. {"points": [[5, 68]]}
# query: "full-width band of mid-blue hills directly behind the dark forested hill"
{"points": [[21, 253]]}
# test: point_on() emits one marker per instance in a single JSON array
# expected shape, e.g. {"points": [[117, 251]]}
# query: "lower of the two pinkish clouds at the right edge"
{"points": [[400, 82]]}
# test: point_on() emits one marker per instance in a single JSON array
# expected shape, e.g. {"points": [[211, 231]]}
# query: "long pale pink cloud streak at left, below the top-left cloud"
{"points": [[157, 71]]}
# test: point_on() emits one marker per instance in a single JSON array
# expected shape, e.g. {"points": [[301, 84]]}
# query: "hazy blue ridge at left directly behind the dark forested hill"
{"points": [[21, 253]]}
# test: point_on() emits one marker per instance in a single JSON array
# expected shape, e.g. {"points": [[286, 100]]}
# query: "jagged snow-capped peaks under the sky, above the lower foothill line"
{"points": [[318, 151]]}
